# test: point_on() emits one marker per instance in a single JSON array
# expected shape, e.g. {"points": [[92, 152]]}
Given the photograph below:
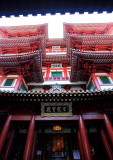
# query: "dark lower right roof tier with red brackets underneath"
{"points": [[83, 63]]}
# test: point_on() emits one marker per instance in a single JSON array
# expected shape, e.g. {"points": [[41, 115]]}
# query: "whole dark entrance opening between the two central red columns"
{"points": [[55, 144]]}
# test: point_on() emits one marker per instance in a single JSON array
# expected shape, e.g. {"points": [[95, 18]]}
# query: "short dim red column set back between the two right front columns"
{"points": [[106, 145]]}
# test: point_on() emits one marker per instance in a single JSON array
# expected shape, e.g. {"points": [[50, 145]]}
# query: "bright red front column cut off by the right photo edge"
{"points": [[108, 127]]}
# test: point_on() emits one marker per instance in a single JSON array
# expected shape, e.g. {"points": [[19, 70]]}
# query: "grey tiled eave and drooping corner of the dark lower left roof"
{"points": [[23, 60]]}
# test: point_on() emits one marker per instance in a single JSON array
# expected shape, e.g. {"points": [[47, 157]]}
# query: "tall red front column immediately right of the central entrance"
{"points": [[84, 138]]}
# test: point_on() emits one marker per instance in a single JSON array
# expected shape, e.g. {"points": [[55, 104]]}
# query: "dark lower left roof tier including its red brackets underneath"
{"points": [[28, 65]]}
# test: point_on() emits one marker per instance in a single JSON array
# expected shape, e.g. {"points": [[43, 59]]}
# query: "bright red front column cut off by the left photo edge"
{"points": [[4, 132]]}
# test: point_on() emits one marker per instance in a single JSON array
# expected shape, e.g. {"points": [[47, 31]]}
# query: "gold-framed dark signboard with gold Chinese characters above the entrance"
{"points": [[56, 109]]}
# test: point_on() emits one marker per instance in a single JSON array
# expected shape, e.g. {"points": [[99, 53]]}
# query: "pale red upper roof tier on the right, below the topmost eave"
{"points": [[92, 42]]}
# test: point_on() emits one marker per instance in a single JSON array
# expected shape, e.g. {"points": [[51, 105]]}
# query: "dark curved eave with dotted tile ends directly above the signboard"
{"points": [[53, 97]]}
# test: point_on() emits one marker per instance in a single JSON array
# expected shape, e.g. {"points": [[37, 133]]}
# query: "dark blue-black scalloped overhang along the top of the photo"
{"points": [[17, 7]]}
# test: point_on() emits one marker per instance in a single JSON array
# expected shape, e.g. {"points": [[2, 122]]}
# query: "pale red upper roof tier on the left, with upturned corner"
{"points": [[22, 44]]}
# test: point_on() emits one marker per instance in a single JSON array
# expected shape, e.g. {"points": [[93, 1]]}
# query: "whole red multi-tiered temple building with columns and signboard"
{"points": [[56, 94]]}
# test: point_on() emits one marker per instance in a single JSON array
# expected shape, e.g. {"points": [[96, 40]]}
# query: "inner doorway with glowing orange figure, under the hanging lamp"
{"points": [[57, 147]]}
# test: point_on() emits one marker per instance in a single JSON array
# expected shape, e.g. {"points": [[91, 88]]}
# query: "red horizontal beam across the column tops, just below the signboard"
{"points": [[74, 117]]}
